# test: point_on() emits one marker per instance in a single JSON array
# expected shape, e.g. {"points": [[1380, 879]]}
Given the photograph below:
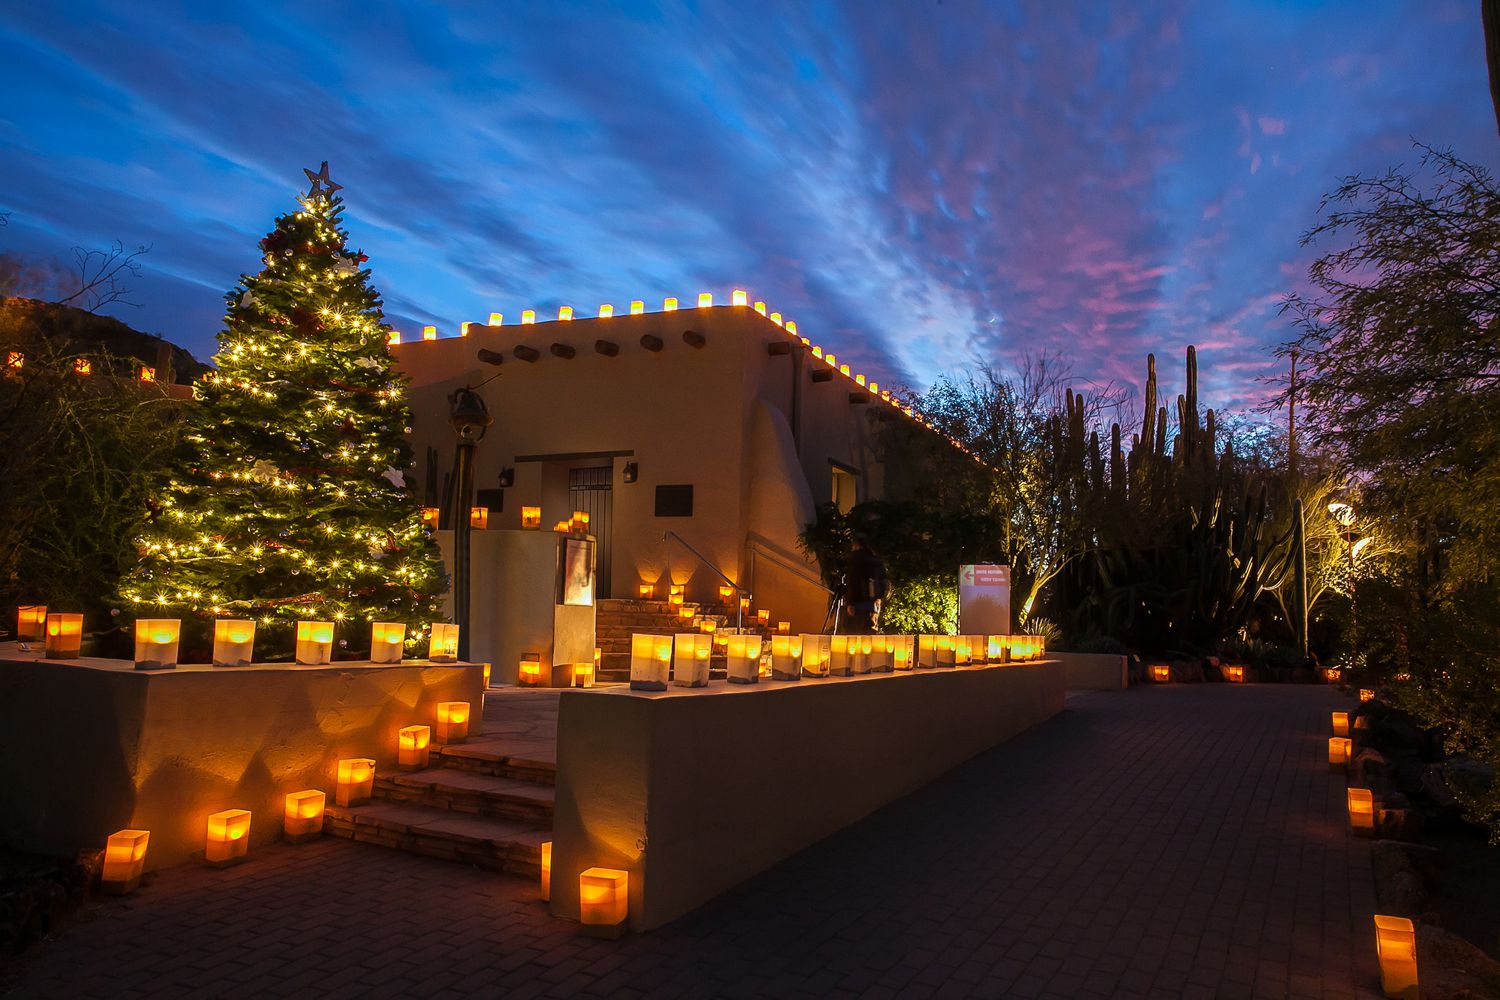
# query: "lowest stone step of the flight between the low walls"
{"points": [[496, 845]]}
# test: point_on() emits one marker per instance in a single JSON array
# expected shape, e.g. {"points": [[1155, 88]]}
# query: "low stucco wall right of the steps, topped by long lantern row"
{"points": [[725, 782]]}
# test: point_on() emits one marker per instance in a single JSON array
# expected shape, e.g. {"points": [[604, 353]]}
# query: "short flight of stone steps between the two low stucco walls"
{"points": [[476, 804]]}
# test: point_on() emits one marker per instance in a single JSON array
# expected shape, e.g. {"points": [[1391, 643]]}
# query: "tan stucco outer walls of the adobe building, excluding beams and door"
{"points": [[683, 416]]}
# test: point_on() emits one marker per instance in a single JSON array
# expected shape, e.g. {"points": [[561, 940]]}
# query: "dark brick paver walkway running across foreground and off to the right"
{"points": [[1163, 842]]}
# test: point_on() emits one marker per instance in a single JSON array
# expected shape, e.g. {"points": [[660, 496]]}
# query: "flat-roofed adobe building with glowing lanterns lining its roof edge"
{"points": [[713, 430]]}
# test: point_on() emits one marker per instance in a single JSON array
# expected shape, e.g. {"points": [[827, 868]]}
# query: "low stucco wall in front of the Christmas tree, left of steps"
{"points": [[95, 746]]}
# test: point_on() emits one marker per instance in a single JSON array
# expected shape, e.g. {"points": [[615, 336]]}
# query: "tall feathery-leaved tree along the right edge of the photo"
{"points": [[1402, 343]]}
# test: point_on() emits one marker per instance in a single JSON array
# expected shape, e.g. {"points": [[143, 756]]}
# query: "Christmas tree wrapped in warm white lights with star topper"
{"points": [[290, 503]]}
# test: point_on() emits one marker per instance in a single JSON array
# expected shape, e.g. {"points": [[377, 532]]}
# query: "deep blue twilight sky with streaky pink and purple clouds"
{"points": [[923, 187]]}
